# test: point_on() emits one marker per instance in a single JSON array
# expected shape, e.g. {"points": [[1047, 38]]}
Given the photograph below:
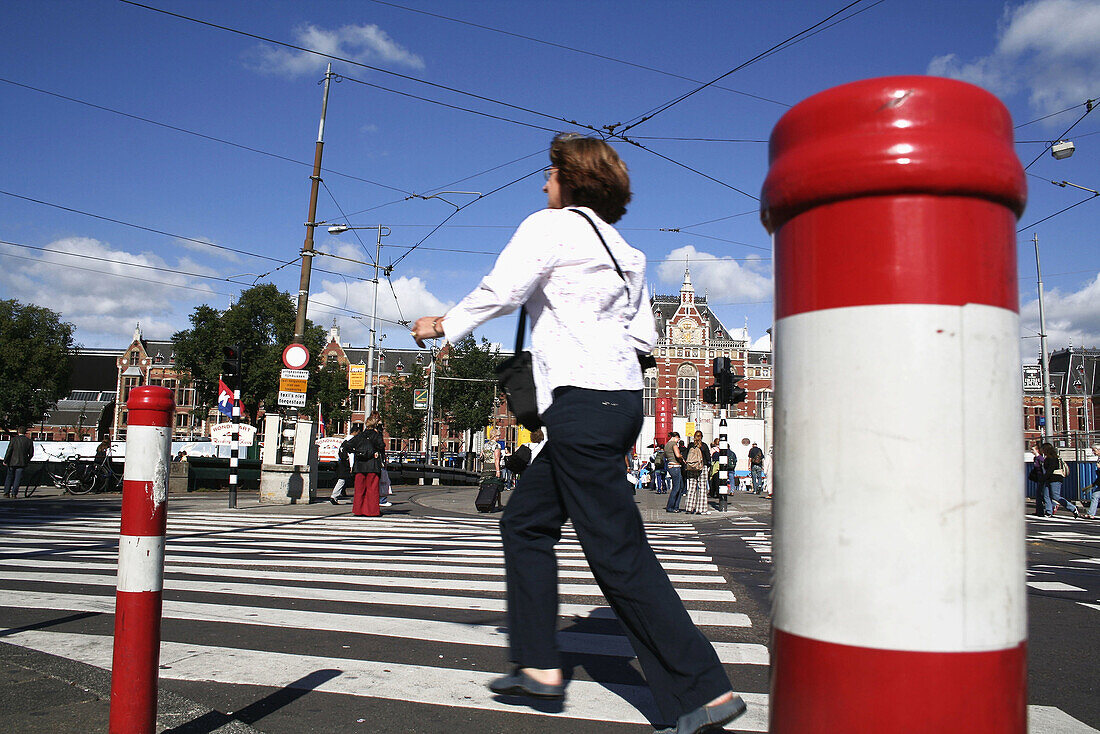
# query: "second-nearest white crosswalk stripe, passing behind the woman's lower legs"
{"points": [[454, 633]]}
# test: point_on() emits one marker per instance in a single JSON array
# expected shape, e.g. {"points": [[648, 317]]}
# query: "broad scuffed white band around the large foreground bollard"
{"points": [[954, 579]]}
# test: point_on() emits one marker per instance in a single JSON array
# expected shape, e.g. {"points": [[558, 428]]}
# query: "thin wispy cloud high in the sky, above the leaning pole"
{"points": [[368, 45]]}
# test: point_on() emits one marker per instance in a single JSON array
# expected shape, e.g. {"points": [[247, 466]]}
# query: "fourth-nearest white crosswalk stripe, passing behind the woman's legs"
{"points": [[362, 580]]}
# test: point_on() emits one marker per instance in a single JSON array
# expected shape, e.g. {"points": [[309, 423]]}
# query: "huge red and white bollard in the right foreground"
{"points": [[899, 600]]}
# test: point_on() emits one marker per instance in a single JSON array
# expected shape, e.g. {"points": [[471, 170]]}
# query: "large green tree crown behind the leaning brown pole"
{"points": [[262, 323]]}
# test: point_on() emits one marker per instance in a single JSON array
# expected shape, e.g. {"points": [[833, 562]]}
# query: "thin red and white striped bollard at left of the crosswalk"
{"points": [[136, 665]]}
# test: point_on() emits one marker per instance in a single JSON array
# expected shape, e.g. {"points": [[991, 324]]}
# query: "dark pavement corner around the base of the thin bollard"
{"points": [[175, 715]]}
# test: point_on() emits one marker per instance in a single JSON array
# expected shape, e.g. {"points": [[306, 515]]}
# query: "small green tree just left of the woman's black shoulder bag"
{"points": [[468, 406]]}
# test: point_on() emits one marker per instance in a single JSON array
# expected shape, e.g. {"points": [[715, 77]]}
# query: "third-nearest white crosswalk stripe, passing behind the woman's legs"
{"points": [[375, 598]]}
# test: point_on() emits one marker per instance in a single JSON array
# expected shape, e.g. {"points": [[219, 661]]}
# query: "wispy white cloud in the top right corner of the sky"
{"points": [[1051, 49]]}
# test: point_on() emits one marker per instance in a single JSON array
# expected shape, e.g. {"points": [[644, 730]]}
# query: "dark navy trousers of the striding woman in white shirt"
{"points": [[579, 476]]}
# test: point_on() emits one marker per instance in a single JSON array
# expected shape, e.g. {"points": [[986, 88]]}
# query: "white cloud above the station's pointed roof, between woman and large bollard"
{"points": [[727, 281]]}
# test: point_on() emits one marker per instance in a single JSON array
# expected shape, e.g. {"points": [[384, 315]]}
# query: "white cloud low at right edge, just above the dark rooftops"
{"points": [[1071, 319]]}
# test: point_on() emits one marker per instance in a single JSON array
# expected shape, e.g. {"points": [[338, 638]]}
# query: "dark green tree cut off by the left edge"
{"points": [[37, 354]]}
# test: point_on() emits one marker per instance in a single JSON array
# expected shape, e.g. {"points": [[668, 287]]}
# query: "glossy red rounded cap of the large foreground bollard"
{"points": [[892, 136]]}
